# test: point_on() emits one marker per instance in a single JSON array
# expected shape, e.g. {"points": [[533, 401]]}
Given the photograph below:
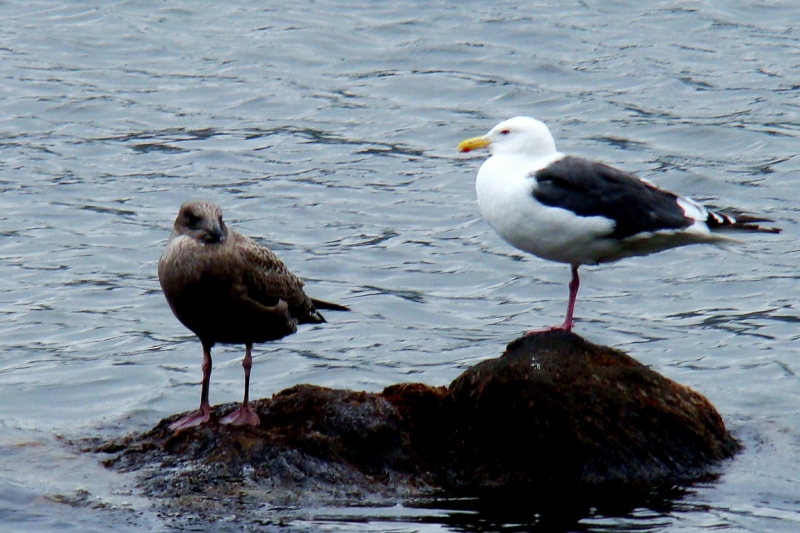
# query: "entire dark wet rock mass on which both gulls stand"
{"points": [[554, 414]]}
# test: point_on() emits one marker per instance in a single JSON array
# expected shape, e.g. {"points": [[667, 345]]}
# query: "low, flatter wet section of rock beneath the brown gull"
{"points": [[313, 445]]}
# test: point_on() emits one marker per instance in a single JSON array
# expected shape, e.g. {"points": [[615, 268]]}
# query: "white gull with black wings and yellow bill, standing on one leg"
{"points": [[580, 212]]}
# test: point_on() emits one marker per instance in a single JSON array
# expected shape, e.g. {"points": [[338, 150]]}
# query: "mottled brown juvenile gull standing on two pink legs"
{"points": [[228, 289]]}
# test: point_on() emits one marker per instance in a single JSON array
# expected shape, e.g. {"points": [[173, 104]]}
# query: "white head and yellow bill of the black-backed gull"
{"points": [[515, 136]]}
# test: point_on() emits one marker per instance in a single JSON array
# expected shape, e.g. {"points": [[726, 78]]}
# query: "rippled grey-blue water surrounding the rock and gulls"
{"points": [[328, 131]]}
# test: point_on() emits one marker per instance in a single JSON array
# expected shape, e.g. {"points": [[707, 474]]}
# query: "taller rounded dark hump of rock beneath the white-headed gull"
{"points": [[556, 413]]}
